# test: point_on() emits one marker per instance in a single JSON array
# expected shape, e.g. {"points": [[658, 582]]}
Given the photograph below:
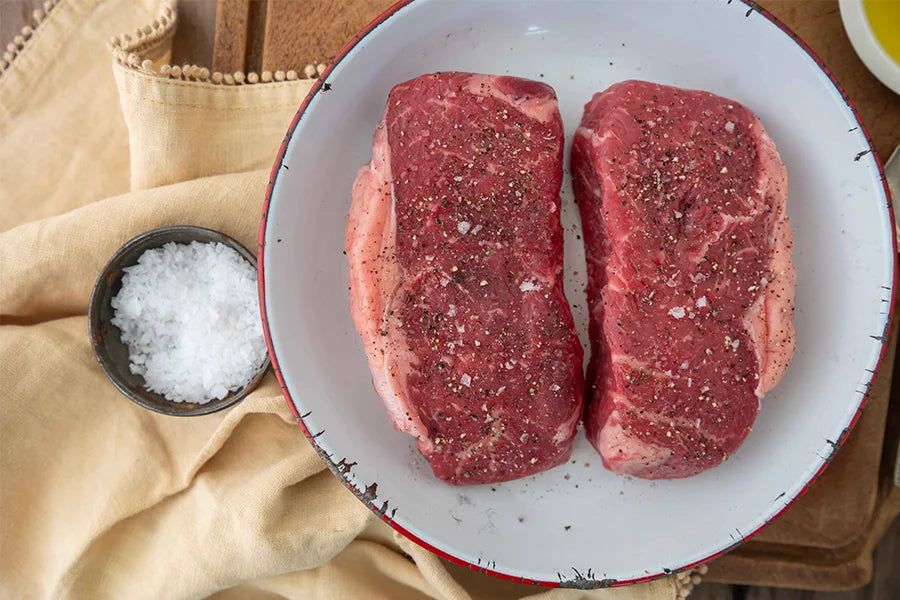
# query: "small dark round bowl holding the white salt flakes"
{"points": [[112, 353]]}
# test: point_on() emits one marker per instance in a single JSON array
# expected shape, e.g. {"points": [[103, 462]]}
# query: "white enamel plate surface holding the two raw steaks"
{"points": [[579, 524]]}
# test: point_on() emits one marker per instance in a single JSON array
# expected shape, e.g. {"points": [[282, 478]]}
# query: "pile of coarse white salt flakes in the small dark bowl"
{"points": [[189, 314]]}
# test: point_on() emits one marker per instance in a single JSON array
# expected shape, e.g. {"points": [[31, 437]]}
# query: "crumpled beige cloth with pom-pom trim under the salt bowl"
{"points": [[100, 498]]}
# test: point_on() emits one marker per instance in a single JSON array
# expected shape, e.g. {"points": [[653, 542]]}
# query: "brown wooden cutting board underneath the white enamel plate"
{"points": [[825, 540]]}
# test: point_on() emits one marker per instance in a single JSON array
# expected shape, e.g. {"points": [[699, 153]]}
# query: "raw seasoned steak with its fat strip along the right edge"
{"points": [[691, 285]]}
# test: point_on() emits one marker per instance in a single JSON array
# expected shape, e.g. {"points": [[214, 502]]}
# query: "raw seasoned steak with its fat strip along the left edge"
{"points": [[456, 258]]}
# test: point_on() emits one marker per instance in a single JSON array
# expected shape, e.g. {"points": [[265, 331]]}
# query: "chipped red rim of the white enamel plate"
{"points": [[276, 168]]}
